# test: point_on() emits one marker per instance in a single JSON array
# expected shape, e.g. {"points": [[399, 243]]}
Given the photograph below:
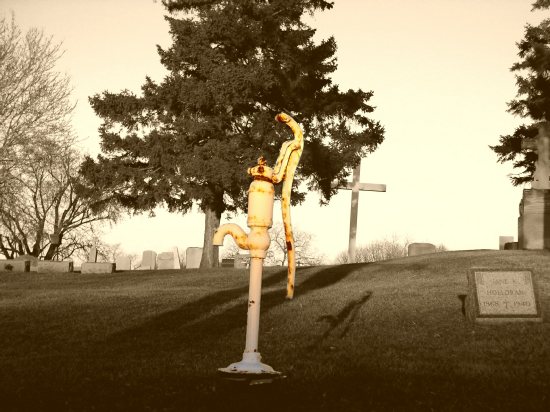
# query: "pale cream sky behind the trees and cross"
{"points": [[439, 70]]}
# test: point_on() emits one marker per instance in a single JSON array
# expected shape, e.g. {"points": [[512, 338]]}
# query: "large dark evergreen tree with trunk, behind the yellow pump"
{"points": [[233, 66]]}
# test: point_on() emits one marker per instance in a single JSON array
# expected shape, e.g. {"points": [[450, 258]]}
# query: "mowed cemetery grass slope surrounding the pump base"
{"points": [[382, 336]]}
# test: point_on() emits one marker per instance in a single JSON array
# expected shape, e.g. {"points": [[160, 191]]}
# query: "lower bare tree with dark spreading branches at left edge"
{"points": [[43, 213]]}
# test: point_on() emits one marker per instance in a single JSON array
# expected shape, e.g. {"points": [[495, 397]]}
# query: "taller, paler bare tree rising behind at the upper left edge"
{"points": [[34, 97]]}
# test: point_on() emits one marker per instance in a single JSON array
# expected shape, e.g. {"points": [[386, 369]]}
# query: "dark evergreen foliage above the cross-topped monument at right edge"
{"points": [[533, 97]]}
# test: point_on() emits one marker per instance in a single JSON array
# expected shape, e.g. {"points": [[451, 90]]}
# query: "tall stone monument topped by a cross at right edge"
{"points": [[534, 208]]}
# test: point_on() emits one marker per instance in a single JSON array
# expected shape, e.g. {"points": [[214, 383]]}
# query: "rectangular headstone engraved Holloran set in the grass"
{"points": [[502, 295]]}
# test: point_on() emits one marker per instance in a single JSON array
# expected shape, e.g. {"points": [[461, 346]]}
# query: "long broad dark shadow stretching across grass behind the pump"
{"points": [[203, 324]]}
